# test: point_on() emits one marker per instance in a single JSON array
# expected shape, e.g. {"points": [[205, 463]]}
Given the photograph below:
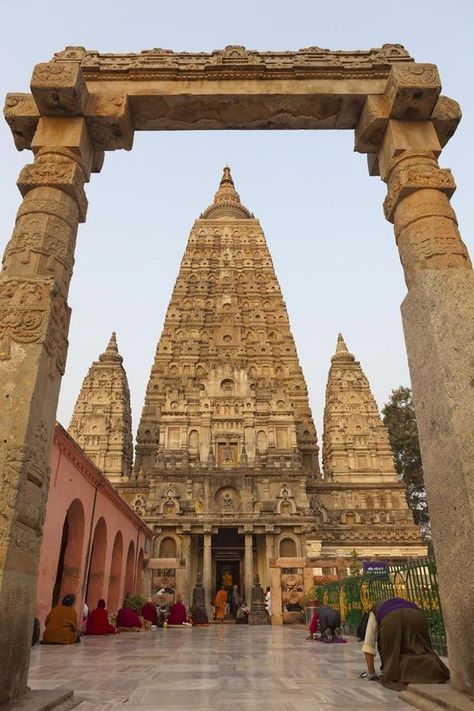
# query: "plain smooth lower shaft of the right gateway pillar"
{"points": [[438, 321]]}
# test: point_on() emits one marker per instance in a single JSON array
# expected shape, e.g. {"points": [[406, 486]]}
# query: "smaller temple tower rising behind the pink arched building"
{"points": [[102, 422]]}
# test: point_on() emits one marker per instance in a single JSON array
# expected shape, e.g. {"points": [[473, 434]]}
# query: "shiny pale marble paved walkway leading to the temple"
{"points": [[208, 669]]}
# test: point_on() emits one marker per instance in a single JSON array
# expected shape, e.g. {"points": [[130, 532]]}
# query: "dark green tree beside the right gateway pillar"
{"points": [[400, 420]]}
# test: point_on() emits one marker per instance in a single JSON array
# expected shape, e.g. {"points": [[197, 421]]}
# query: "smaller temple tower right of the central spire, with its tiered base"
{"points": [[360, 503]]}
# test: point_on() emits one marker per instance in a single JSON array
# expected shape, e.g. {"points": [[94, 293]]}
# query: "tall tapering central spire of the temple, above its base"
{"points": [[226, 374]]}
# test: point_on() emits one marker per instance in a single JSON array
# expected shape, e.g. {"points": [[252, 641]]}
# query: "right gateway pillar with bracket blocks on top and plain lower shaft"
{"points": [[438, 321]]}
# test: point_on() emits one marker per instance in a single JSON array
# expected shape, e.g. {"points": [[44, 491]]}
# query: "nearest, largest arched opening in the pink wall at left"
{"points": [[70, 553]]}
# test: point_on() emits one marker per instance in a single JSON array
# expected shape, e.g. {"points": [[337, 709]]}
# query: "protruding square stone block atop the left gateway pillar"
{"points": [[59, 88]]}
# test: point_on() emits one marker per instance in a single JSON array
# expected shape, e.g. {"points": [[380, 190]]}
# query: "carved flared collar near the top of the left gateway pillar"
{"points": [[63, 174]]}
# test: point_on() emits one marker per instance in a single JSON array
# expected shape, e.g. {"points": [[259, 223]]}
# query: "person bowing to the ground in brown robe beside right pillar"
{"points": [[400, 631]]}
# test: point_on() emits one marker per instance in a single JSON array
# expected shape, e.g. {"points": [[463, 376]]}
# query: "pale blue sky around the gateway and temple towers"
{"points": [[334, 253]]}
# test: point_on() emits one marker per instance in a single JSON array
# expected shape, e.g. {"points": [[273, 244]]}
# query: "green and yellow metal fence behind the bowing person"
{"points": [[414, 580]]}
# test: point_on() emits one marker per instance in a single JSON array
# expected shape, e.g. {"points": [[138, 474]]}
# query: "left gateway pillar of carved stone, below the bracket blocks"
{"points": [[34, 322]]}
